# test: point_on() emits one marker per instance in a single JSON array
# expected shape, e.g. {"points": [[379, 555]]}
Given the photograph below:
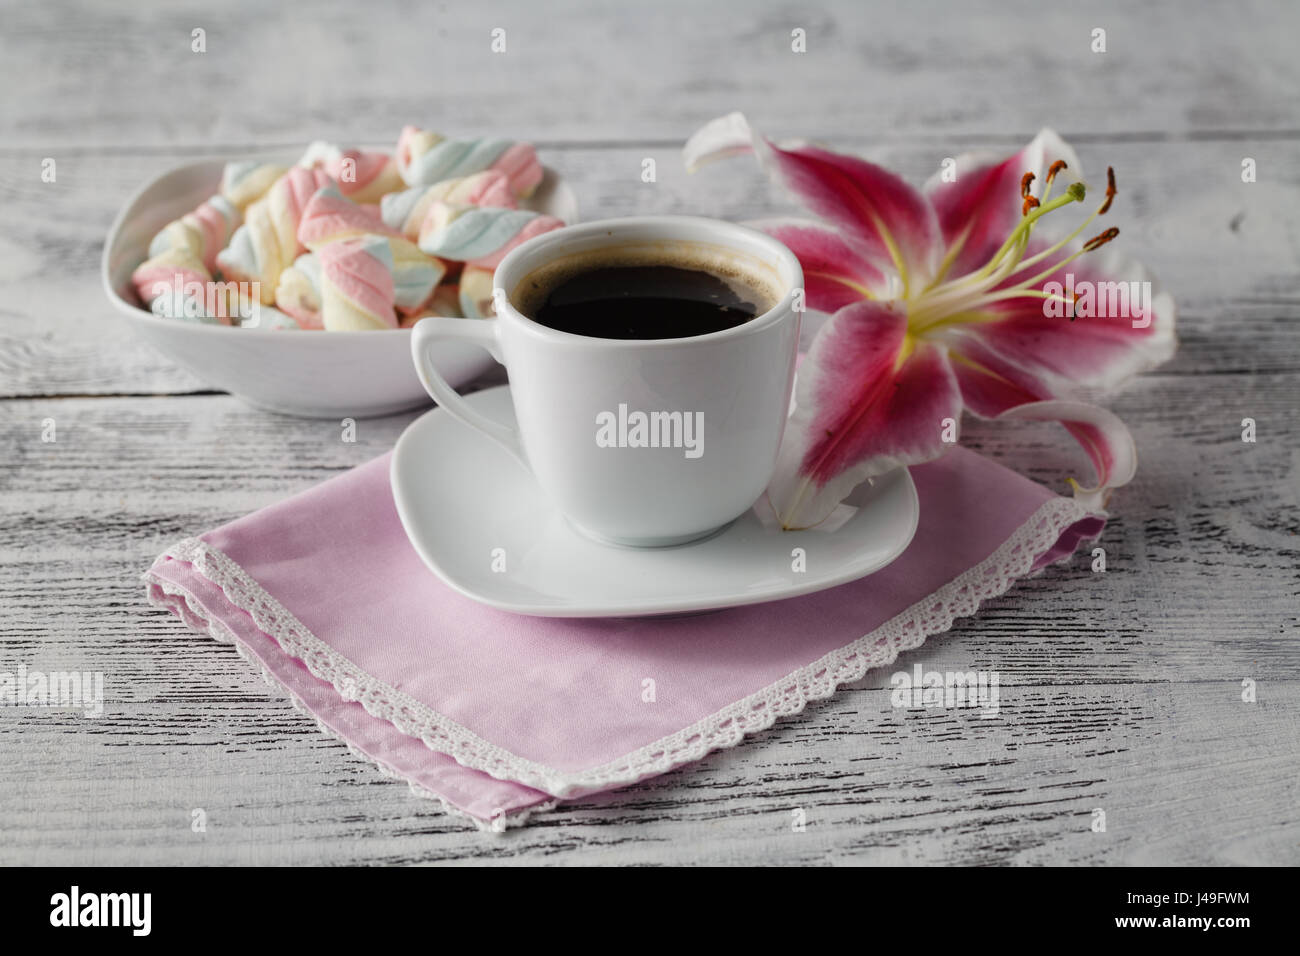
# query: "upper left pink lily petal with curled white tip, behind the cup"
{"points": [[878, 209]]}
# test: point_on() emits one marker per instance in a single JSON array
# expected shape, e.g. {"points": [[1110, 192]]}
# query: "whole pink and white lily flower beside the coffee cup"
{"points": [[948, 300]]}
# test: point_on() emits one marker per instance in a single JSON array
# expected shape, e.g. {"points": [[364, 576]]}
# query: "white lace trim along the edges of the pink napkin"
{"points": [[817, 681]]}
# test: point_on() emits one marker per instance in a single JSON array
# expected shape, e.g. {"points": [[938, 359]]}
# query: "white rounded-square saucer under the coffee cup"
{"points": [[462, 498]]}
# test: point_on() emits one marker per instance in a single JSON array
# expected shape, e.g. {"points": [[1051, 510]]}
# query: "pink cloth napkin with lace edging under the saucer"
{"points": [[500, 716]]}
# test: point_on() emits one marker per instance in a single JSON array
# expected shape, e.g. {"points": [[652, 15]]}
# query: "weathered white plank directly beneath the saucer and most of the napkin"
{"points": [[1202, 555]]}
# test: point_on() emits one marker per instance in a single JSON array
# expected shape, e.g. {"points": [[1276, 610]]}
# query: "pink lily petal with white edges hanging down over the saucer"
{"points": [[869, 400]]}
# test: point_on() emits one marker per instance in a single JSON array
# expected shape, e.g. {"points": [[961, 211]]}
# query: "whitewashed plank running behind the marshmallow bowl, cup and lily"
{"points": [[1225, 249]]}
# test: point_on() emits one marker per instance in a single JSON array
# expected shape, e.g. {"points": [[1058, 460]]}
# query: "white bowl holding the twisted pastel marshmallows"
{"points": [[311, 374]]}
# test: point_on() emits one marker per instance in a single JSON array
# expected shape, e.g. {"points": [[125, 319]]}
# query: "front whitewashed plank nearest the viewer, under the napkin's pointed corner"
{"points": [[876, 785]]}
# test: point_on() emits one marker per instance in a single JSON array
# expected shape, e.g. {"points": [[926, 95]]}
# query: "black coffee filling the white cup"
{"points": [[647, 301]]}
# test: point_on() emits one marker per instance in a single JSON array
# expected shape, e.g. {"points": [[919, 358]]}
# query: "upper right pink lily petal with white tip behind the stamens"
{"points": [[982, 205]]}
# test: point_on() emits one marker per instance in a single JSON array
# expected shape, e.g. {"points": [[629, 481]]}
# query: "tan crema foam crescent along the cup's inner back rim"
{"points": [[747, 275]]}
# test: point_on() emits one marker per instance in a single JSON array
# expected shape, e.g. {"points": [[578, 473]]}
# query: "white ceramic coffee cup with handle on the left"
{"points": [[577, 396]]}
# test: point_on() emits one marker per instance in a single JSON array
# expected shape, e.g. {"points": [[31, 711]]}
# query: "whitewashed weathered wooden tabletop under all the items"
{"points": [[1123, 691]]}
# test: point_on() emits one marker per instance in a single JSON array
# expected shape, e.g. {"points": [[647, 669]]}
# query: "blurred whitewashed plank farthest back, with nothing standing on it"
{"points": [[101, 75]]}
